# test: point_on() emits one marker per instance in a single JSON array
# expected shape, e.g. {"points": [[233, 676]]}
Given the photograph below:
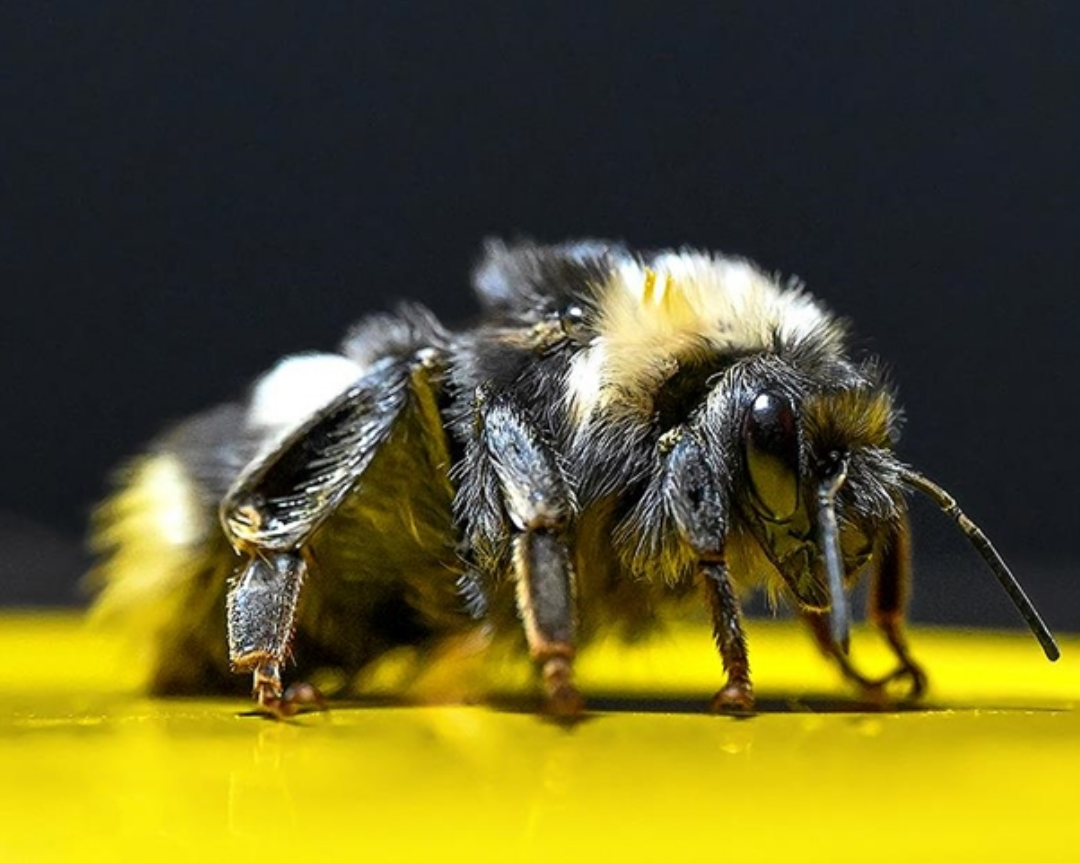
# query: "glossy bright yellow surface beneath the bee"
{"points": [[991, 772]]}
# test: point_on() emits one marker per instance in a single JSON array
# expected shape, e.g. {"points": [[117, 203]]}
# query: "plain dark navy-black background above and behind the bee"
{"points": [[188, 193]]}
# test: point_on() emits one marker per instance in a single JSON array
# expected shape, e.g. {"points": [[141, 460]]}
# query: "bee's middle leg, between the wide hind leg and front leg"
{"points": [[535, 498]]}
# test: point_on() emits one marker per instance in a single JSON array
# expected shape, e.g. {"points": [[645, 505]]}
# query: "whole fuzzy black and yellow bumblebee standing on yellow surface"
{"points": [[618, 433]]}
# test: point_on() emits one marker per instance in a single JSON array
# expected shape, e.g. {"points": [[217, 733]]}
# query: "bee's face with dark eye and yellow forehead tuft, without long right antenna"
{"points": [[821, 484]]}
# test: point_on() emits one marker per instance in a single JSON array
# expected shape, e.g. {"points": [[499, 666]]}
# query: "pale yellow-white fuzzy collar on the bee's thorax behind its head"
{"points": [[682, 307]]}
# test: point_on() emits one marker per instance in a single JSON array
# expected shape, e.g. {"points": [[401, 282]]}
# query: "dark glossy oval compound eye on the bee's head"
{"points": [[772, 447]]}
